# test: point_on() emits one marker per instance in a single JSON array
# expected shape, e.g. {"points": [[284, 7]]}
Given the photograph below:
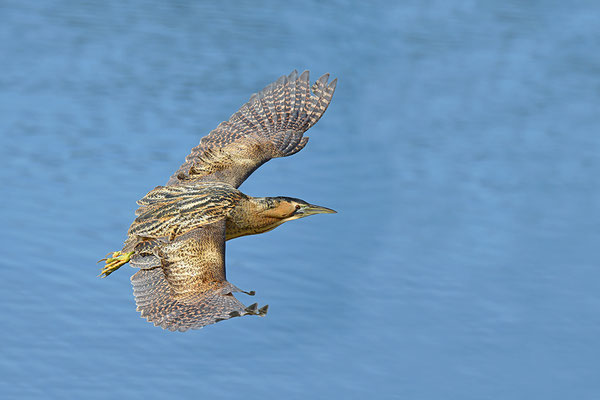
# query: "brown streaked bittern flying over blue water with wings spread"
{"points": [[177, 239]]}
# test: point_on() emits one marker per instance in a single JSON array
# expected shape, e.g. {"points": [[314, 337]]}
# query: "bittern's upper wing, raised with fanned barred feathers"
{"points": [[271, 124]]}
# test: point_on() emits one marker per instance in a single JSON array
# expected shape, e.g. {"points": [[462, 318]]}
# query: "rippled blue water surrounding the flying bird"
{"points": [[461, 150]]}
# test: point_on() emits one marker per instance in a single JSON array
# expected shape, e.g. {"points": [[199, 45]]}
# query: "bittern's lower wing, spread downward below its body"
{"points": [[181, 284]]}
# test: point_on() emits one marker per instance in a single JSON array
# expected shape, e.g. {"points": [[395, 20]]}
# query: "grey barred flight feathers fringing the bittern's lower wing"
{"points": [[156, 303]]}
